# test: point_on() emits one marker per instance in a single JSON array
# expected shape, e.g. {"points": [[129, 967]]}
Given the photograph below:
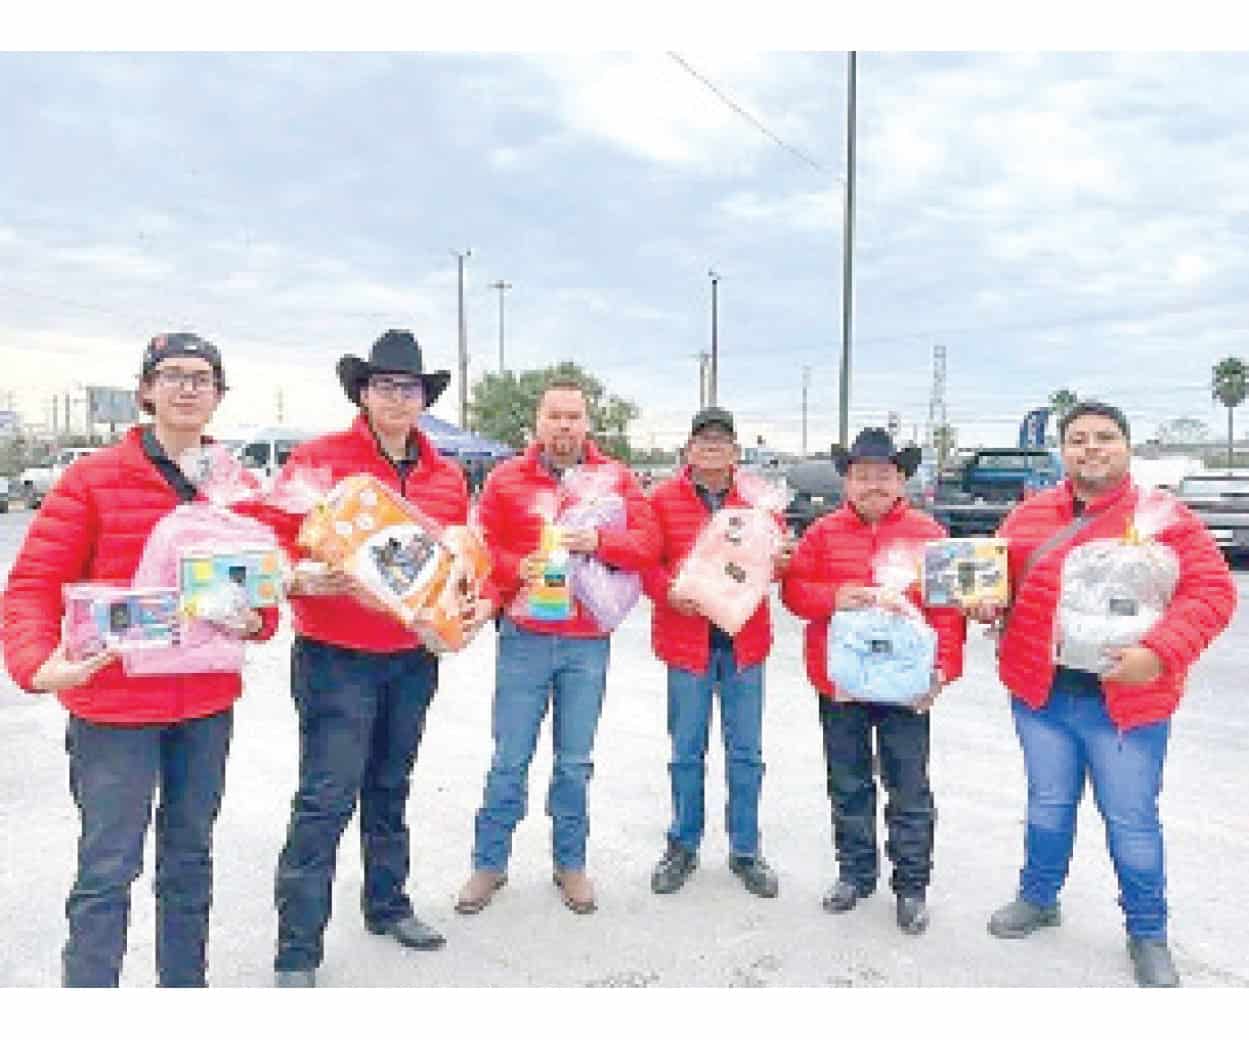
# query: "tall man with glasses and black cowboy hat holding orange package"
{"points": [[362, 681]]}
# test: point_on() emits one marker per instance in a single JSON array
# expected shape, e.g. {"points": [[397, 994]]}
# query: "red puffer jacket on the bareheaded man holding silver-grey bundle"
{"points": [[1201, 609]]}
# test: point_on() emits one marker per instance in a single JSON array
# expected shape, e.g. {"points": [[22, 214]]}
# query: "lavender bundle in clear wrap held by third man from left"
{"points": [[609, 595]]}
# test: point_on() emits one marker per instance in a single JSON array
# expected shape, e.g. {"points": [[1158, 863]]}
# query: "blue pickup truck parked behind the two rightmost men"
{"points": [[990, 486]]}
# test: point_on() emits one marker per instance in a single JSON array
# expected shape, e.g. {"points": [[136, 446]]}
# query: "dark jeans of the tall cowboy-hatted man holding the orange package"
{"points": [[362, 719]]}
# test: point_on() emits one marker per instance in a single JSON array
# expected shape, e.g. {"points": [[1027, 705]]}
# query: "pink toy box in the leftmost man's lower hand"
{"points": [[103, 616]]}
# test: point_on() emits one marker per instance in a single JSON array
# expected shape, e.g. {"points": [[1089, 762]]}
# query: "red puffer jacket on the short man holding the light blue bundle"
{"points": [[839, 550]]}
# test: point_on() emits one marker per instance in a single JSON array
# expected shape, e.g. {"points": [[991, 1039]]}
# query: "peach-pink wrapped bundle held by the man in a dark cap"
{"points": [[730, 569]]}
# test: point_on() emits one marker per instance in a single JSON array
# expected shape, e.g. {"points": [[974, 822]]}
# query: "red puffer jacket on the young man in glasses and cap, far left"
{"points": [[93, 526]]}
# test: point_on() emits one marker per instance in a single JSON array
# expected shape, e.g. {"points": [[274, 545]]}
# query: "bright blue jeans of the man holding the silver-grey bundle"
{"points": [[1067, 740]]}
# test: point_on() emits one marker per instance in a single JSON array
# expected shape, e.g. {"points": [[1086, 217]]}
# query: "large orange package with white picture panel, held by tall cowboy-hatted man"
{"points": [[387, 542]]}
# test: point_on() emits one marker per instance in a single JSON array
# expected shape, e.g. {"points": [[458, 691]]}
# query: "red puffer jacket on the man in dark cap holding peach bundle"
{"points": [[680, 640]]}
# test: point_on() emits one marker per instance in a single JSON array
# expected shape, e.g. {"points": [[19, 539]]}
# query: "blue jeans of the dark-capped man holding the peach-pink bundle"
{"points": [[741, 715]]}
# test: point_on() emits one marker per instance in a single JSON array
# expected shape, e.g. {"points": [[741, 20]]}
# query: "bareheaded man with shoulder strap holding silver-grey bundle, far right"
{"points": [[1110, 727]]}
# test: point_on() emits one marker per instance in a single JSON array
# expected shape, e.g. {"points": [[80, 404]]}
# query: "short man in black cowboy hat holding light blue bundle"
{"points": [[834, 571]]}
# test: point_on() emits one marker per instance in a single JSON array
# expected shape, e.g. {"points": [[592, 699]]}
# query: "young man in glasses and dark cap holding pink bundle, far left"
{"points": [[129, 736]]}
